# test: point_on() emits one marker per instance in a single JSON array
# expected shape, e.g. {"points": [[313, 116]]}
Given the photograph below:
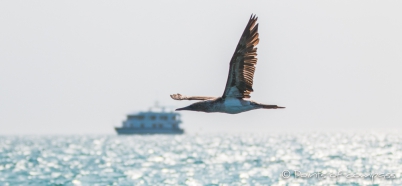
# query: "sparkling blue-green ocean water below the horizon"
{"points": [[205, 159]]}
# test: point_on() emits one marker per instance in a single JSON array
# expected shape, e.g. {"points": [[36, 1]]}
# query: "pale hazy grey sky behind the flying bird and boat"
{"points": [[78, 67]]}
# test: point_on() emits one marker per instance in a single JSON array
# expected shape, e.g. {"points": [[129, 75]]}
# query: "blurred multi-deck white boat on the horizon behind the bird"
{"points": [[154, 121]]}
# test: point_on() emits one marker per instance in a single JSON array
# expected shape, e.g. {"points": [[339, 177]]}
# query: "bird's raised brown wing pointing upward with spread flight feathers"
{"points": [[242, 64]]}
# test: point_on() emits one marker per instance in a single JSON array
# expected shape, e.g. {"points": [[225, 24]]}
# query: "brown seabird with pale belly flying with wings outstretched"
{"points": [[239, 84]]}
